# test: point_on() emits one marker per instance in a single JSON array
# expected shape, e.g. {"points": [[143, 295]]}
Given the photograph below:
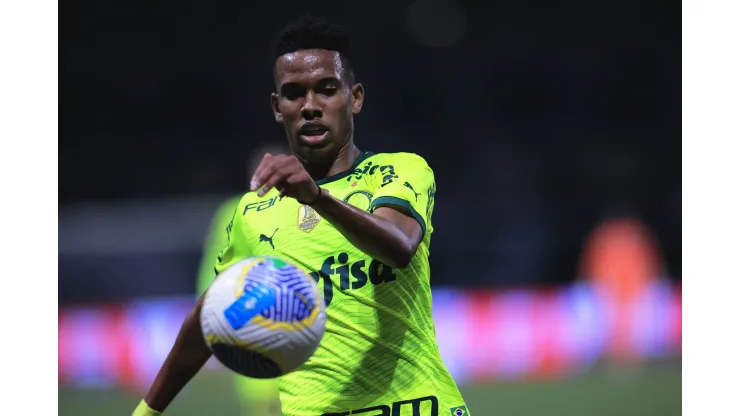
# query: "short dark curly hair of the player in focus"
{"points": [[309, 32]]}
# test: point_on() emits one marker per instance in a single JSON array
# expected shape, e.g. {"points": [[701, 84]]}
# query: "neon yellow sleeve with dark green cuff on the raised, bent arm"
{"points": [[405, 180]]}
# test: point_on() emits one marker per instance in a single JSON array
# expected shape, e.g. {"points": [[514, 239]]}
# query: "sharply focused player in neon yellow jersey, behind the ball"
{"points": [[362, 223]]}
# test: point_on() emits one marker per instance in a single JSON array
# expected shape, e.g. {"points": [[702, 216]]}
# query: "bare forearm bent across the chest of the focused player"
{"points": [[375, 236]]}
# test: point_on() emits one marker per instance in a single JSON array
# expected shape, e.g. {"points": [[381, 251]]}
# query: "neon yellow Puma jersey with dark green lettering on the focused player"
{"points": [[379, 354]]}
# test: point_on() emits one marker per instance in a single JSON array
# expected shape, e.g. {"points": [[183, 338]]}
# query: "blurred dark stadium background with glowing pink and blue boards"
{"points": [[554, 132]]}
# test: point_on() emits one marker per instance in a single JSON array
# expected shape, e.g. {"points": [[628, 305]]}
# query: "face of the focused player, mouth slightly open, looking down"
{"points": [[315, 102]]}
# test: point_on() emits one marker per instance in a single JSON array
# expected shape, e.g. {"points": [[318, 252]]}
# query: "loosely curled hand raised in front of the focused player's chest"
{"points": [[286, 174]]}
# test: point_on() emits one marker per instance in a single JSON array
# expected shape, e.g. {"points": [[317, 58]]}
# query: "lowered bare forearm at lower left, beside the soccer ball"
{"points": [[186, 358]]}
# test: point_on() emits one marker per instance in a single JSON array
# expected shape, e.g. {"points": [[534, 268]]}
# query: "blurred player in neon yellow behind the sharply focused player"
{"points": [[257, 396]]}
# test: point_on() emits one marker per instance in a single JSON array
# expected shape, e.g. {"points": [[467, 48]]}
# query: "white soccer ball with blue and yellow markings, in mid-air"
{"points": [[263, 317]]}
